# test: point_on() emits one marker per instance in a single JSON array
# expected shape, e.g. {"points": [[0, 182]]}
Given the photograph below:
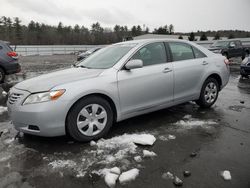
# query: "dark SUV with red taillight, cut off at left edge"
{"points": [[8, 60]]}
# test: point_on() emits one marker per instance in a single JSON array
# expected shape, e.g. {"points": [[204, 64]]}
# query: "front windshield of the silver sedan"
{"points": [[106, 57]]}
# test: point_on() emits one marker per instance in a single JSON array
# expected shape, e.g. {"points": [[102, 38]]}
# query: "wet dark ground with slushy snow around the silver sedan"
{"points": [[207, 143]]}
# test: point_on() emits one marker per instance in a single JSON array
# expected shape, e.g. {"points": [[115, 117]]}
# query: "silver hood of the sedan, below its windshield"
{"points": [[48, 81]]}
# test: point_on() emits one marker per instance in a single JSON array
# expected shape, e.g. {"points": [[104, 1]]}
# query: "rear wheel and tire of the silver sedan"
{"points": [[209, 93]]}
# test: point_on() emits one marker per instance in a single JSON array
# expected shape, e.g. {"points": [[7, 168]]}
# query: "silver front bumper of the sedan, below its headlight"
{"points": [[47, 117]]}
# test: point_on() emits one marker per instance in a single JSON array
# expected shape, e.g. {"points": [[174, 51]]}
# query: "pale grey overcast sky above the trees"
{"points": [[185, 15]]}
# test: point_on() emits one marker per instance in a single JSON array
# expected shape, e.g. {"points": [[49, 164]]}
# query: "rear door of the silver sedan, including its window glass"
{"points": [[189, 65]]}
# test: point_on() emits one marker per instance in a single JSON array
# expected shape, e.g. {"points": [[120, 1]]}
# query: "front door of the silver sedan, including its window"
{"points": [[149, 86]]}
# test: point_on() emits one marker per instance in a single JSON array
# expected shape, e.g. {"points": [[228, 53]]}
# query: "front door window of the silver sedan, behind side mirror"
{"points": [[151, 54]]}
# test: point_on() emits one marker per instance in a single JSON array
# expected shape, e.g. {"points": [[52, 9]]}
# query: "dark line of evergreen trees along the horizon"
{"points": [[36, 33]]}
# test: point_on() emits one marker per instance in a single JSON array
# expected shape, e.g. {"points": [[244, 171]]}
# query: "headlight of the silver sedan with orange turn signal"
{"points": [[43, 97]]}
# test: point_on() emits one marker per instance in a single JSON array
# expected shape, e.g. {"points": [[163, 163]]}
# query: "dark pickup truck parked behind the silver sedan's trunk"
{"points": [[230, 48]]}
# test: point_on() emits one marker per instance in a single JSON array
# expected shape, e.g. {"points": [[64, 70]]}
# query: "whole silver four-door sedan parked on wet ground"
{"points": [[118, 82]]}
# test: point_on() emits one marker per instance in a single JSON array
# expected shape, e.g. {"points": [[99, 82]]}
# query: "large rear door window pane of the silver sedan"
{"points": [[181, 51]]}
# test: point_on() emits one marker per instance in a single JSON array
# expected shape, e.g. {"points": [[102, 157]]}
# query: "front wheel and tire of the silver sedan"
{"points": [[89, 119]]}
